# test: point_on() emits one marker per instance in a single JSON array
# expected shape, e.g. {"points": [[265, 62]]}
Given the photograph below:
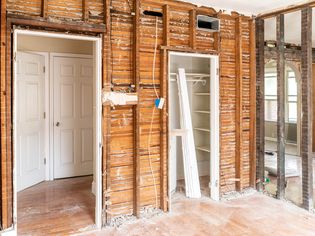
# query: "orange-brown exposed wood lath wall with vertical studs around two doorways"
{"points": [[129, 39]]}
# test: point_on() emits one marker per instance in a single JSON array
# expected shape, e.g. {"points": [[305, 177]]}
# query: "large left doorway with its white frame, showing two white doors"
{"points": [[57, 132]]}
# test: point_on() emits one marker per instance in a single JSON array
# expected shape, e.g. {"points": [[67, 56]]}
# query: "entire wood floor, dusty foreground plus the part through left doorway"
{"points": [[66, 207]]}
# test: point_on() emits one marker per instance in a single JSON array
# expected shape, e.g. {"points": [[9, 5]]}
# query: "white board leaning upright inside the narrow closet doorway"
{"points": [[188, 144]]}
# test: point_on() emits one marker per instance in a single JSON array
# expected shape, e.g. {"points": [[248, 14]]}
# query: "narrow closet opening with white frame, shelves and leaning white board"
{"points": [[201, 103]]}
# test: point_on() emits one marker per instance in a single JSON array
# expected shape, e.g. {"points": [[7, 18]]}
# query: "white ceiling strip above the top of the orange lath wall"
{"points": [[252, 7]]}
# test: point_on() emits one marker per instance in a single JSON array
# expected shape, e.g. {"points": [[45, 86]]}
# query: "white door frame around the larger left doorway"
{"points": [[97, 110]]}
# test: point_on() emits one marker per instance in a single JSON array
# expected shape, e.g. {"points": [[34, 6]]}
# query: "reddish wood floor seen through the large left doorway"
{"points": [[60, 207]]}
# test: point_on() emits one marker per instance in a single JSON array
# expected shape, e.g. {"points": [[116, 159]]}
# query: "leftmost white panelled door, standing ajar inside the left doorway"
{"points": [[30, 120]]}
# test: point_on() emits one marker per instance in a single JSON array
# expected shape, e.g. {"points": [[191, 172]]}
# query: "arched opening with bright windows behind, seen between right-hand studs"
{"points": [[293, 163]]}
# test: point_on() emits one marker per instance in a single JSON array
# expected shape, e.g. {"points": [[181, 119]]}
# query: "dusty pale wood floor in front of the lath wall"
{"points": [[252, 215]]}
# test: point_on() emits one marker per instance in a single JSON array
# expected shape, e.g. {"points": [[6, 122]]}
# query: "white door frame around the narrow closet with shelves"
{"points": [[214, 121]]}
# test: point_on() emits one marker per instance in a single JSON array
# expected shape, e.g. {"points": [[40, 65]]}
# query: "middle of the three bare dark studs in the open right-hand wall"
{"points": [[280, 108]]}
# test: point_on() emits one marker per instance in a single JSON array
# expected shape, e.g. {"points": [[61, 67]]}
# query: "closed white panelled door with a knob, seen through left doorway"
{"points": [[73, 117]]}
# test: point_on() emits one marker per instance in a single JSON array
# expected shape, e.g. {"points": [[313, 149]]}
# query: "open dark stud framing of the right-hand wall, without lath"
{"points": [[301, 56]]}
